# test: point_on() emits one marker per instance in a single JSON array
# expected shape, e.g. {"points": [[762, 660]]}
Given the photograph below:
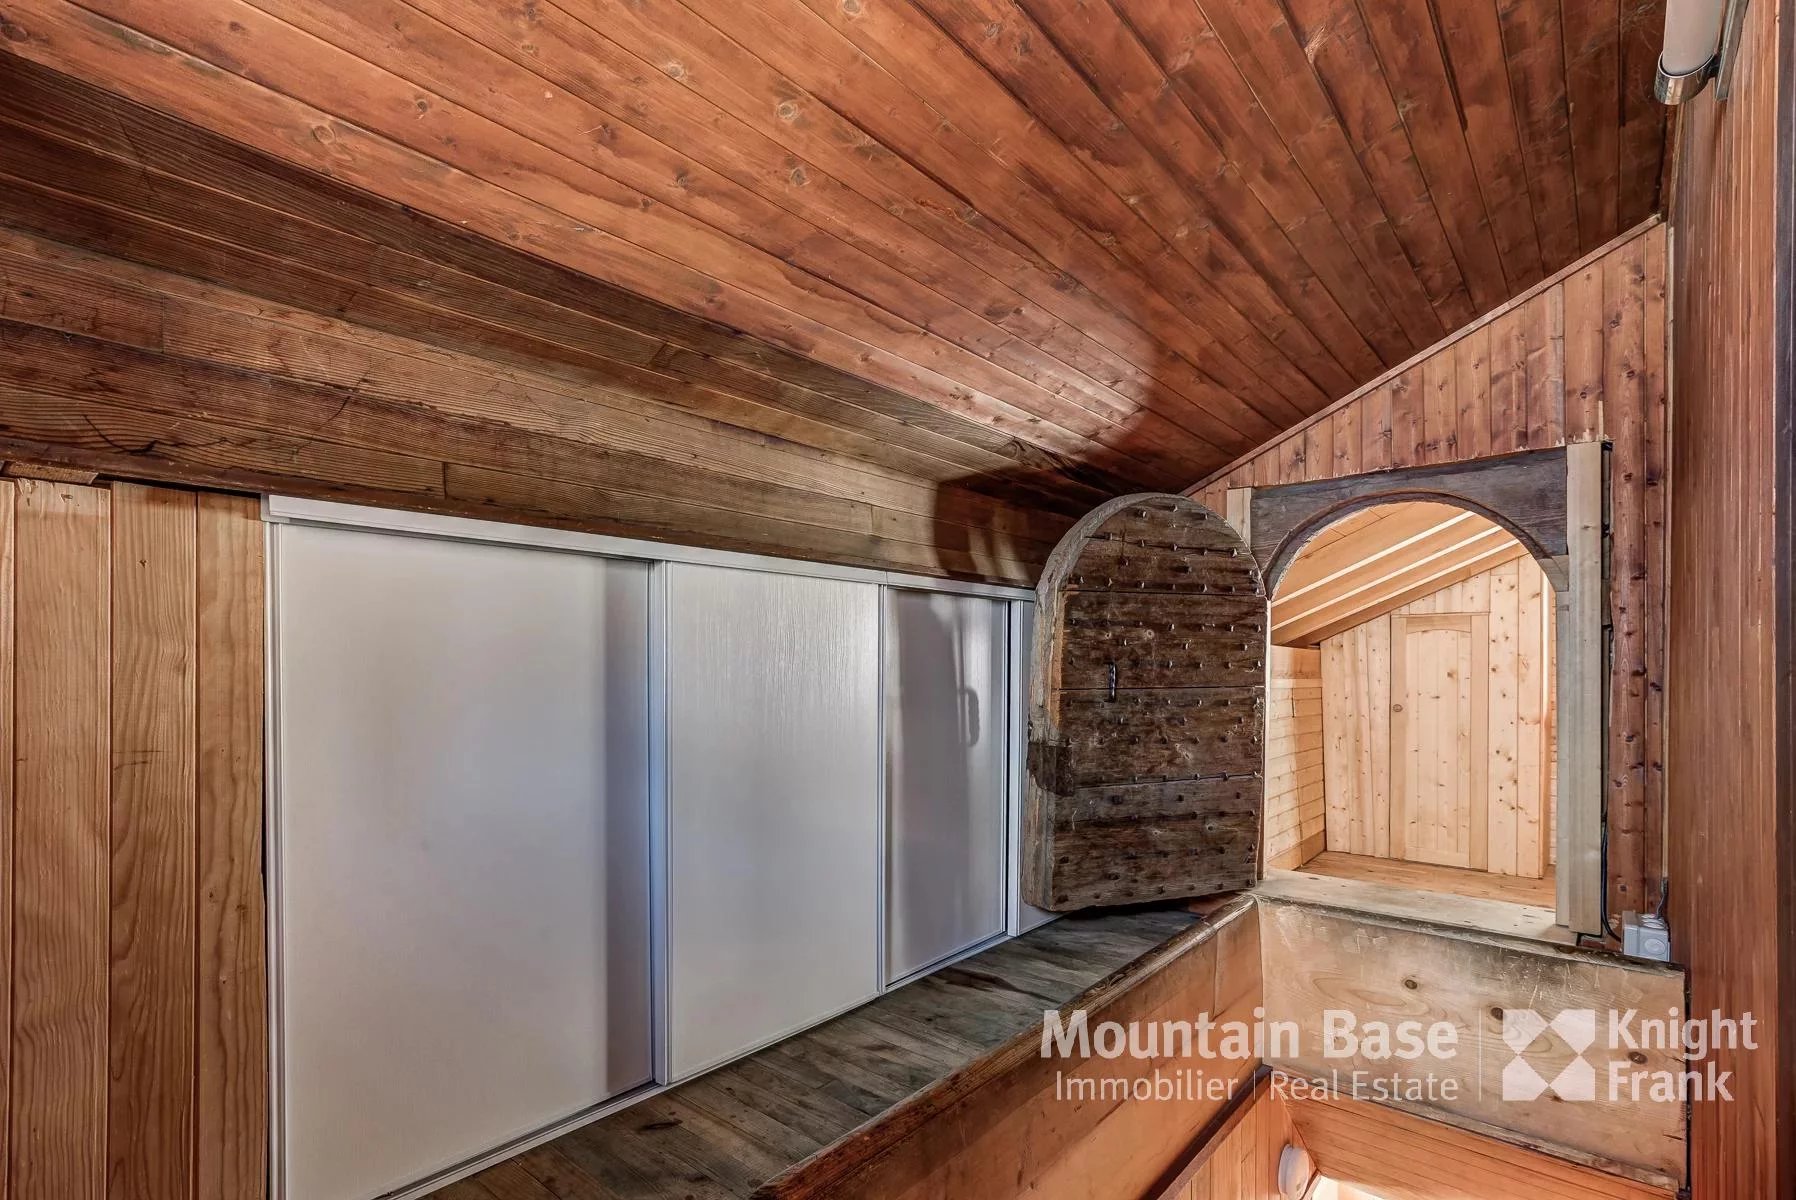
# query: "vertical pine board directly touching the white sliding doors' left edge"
{"points": [[233, 1016]]}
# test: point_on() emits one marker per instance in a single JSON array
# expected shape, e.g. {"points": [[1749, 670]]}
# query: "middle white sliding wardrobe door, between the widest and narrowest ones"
{"points": [[773, 806]]}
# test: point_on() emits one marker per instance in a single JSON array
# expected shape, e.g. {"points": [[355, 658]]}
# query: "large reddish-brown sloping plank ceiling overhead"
{"points": [[1041, 245]]}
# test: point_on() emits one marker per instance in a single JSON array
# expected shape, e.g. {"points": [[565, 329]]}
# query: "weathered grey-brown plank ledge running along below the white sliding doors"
{"points": [[728, 1133]]}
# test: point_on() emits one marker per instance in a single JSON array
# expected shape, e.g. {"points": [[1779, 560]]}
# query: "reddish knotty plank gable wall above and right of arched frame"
{"points": [[1581, 357]]}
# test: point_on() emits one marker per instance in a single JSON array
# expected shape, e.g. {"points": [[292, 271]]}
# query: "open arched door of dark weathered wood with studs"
{"points": [[1149, 712]]}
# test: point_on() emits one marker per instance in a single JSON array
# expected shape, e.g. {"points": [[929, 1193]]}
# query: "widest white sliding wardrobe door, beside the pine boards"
{"points": [[462, 849]]}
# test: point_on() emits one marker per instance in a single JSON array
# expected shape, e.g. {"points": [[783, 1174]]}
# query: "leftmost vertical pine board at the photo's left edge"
{"points": [[62, 836]]}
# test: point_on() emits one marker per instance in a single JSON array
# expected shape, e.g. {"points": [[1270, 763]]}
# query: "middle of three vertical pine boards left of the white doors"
{"points": [[152, 1014]]}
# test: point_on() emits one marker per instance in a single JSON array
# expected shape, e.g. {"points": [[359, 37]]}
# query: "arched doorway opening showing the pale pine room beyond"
{"points": [[1413, 703]]}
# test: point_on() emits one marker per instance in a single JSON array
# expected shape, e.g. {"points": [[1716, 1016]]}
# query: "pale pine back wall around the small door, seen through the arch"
{"points": [[1357, 707]]}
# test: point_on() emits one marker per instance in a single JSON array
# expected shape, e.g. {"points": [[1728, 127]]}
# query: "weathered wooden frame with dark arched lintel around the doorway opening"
{"points": [[1553, 502]]}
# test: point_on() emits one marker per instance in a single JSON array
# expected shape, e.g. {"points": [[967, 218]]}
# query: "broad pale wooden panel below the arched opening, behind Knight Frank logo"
{"points": [[1389, 969]]}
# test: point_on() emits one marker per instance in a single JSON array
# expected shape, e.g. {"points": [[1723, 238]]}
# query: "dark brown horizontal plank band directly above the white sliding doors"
{"points": [[150, 375]]}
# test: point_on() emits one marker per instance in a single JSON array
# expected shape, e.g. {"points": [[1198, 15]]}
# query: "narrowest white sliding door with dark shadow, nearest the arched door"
{"points": [[947, 755]]}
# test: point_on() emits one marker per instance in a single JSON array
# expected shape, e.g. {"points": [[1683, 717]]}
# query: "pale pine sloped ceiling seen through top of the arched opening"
{"points": [[1377, 561]]}
